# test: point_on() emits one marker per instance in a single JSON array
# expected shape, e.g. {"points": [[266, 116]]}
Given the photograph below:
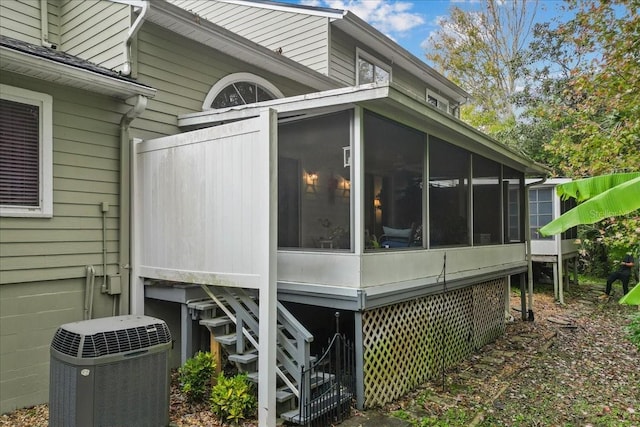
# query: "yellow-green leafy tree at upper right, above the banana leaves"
{"points": [[598, 107]]}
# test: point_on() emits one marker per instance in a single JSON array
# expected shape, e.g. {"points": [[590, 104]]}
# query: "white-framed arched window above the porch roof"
{"points": [[240, 89]]}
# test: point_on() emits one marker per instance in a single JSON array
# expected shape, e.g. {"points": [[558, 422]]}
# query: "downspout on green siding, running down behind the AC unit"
{"points": [[124, 263]]}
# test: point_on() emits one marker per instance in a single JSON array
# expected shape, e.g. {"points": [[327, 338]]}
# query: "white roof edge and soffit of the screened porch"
{"points": [[386, 100]]}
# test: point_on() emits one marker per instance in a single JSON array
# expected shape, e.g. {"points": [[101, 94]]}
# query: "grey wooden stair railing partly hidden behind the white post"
{"points": [[294, 341]]}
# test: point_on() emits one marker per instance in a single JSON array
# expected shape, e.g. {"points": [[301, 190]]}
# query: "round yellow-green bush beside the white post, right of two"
{"points": [[233, 399]]}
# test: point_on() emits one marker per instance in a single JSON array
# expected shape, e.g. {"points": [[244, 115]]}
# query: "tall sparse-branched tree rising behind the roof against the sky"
{"points": [[484, 51]]}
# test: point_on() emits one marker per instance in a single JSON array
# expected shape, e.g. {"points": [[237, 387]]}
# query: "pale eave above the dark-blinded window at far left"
{"points": [[65, 74]]}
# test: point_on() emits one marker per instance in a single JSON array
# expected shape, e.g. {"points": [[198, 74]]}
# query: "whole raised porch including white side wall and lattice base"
{"points": [[395, 214]]}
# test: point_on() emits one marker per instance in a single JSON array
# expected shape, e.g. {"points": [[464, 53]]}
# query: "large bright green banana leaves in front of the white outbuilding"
{"points": [[620, 199]]}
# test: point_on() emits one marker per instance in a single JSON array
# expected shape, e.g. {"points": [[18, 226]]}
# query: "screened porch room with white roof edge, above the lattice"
{"points": [[369, 176]]}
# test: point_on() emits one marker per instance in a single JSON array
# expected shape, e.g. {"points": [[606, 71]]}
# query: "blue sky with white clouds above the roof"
{"points": [[409, 22]]}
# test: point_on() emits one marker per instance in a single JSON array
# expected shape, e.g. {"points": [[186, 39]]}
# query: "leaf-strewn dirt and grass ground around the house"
{"points": [[572, 366]]}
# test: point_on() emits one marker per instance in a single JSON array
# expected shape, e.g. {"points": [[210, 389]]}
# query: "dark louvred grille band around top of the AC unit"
{"points": [[111, 342]]}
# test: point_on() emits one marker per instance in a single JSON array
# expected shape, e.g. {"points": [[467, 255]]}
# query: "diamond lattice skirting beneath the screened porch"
{"points": [[407, 344]]}
